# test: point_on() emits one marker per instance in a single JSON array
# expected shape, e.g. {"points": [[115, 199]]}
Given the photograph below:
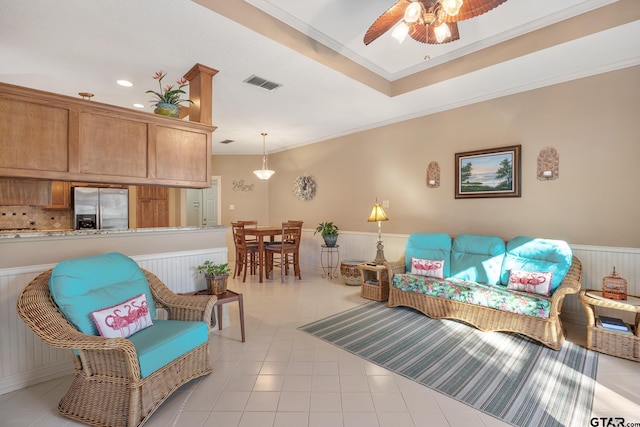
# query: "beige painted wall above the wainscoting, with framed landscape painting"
{"points": [[592, 122]]}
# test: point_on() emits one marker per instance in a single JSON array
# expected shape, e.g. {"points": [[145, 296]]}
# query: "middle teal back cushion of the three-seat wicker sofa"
{"points": [[477, 258]]}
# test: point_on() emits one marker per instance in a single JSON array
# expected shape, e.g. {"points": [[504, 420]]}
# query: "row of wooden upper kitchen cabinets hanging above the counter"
{"points": [[50, 136]]}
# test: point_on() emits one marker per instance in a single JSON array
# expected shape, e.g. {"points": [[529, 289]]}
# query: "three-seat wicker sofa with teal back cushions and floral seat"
{"points": [[476, 273]]}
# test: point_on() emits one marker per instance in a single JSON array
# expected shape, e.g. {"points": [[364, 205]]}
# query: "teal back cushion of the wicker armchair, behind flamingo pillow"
{"points": [[81, 286]]}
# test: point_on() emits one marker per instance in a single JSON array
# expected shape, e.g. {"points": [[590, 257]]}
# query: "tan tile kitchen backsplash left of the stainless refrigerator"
{"points": [[32, 217]]}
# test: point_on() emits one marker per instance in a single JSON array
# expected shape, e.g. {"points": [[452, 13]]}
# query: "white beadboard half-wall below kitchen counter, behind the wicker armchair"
{"points": [[25, 360]]}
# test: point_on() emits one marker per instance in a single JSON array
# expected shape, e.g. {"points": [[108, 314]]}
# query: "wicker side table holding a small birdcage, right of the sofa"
{"points": [[619, 344]]}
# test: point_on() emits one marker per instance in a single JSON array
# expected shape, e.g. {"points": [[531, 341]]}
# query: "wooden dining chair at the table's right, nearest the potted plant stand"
{"points": [[285, 252]]}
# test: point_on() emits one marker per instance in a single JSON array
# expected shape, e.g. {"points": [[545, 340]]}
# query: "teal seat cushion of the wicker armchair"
{"points": [[165, 341]]}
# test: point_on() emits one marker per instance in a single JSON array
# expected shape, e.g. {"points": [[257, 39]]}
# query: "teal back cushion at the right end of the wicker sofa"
{"points": [[538, 255]]}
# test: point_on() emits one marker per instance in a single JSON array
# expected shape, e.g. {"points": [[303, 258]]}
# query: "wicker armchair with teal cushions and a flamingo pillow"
{"points": [[118, 381]]}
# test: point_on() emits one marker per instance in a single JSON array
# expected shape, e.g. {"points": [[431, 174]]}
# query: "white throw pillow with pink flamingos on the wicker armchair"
{"points": [[124, 319]]}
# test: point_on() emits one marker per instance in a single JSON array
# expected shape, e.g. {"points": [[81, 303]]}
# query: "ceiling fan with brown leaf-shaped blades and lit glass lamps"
{"points": [[428, 21]]}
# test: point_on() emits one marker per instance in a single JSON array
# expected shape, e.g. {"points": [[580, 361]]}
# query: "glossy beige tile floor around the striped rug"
{"points": [[281, 377]]}
